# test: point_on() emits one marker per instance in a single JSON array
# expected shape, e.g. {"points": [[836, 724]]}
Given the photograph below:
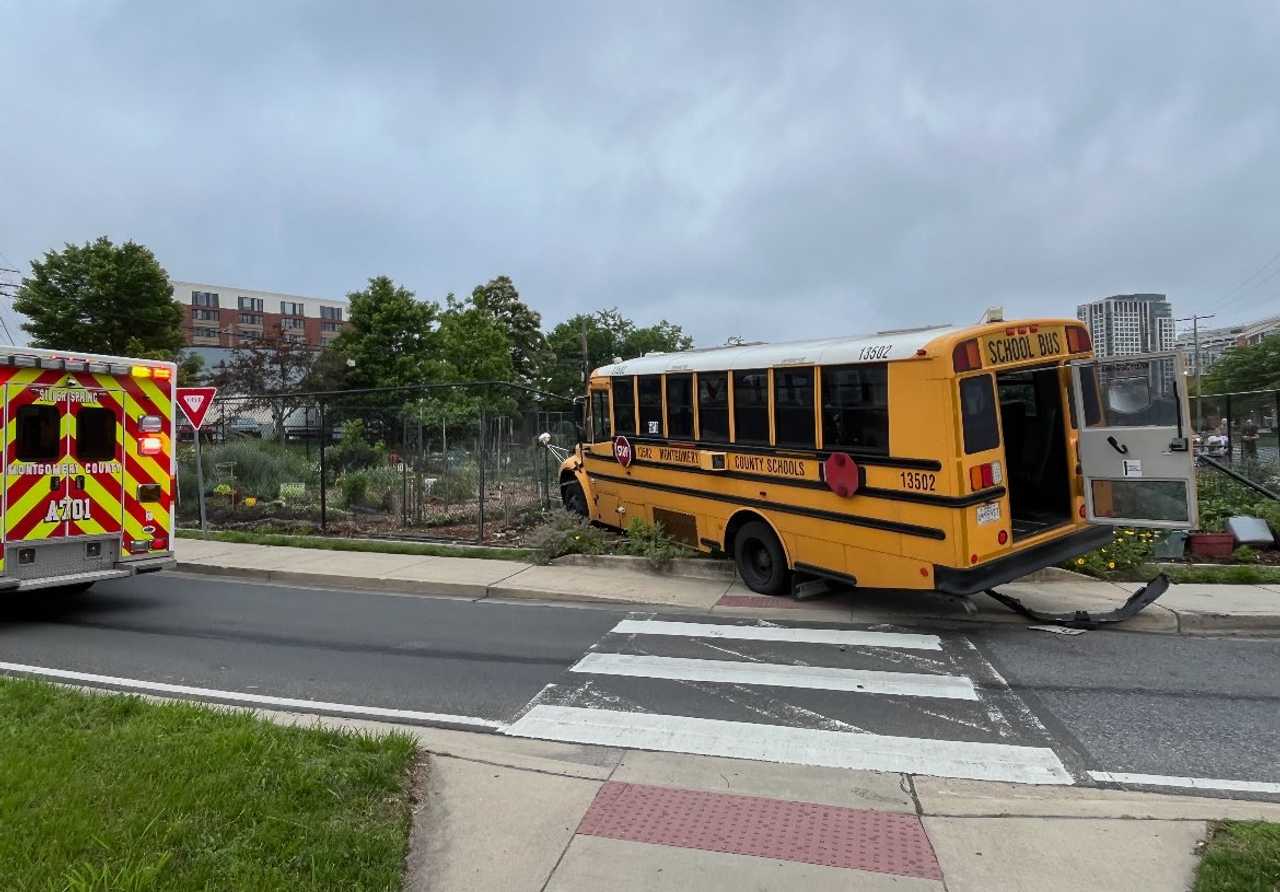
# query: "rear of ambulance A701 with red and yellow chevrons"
{"points": [[89, 473]]}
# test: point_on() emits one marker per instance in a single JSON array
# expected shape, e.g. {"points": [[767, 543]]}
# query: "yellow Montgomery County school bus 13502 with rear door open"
{"points": [[947, 459]]}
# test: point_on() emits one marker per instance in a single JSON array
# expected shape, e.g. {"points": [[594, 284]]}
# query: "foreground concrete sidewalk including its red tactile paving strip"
{"points": [[527, 816]]}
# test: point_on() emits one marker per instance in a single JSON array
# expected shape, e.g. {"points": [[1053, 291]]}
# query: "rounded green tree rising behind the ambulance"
{"points": [[102, 299]]}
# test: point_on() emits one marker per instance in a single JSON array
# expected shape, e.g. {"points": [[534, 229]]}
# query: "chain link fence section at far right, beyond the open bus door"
{"points": [[1242, 429]]}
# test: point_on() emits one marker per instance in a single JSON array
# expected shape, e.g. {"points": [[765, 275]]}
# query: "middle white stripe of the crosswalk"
{"points": [[867, 681]]}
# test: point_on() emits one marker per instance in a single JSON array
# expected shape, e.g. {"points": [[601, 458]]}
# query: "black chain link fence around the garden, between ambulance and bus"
{"points": [[451, 463]]}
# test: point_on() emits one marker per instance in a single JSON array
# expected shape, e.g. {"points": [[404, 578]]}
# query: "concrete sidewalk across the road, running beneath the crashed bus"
{"points": [[1185, 609]]}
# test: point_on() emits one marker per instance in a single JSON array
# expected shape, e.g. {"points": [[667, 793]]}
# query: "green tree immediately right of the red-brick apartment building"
{"points": [[392, 340]]}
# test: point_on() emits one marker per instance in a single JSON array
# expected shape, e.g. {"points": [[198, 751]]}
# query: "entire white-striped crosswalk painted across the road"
{"points": [[861, 699]]}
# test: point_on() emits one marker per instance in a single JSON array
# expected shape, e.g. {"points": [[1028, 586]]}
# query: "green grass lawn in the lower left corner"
{"points": [[112, 793]]}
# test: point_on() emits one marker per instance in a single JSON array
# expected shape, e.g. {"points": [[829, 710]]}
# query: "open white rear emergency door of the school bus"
{"points": [[1136, 442]]}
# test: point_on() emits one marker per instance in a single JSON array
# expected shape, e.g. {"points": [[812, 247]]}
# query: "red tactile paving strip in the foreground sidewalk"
{"points": [[779, 829]]}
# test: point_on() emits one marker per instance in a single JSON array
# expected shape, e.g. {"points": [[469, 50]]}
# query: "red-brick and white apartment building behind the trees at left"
{"points": [[225, 317]]}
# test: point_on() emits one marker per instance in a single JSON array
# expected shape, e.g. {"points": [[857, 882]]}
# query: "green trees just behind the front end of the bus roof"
{"points": [[609, 335]]}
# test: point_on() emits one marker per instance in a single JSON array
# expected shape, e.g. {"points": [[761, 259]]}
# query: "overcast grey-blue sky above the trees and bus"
{"points": [[767, 171]]}
